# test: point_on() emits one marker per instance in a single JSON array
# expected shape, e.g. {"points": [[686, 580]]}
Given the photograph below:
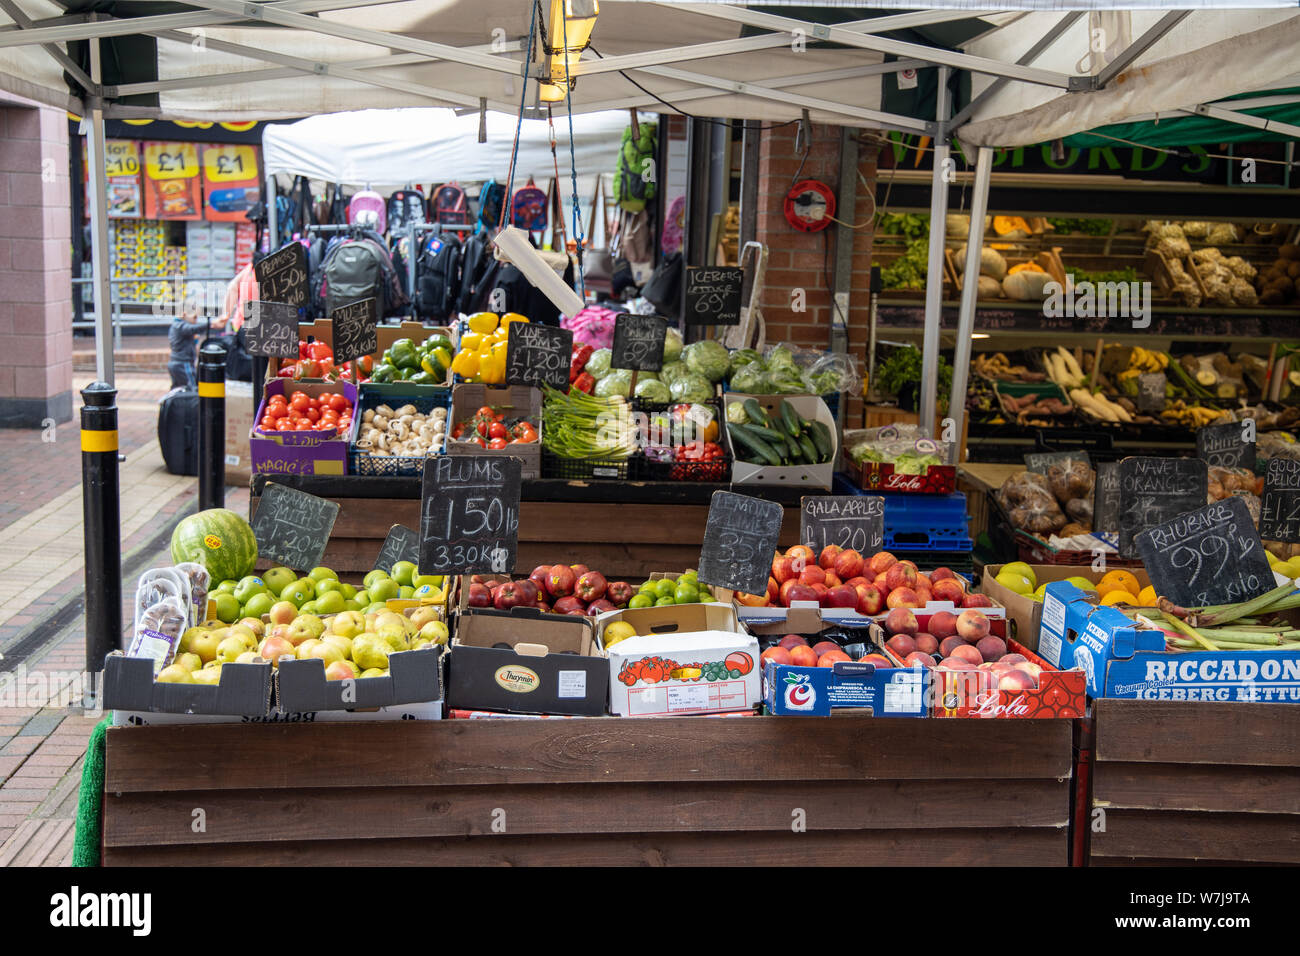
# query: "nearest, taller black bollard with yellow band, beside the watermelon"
{"points": [[103, 525]]}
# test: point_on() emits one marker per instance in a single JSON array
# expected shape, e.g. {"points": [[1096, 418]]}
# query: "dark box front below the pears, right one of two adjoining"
{"points": [[415, 677]]}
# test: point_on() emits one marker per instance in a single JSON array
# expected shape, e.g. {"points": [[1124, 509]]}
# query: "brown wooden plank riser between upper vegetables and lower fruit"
{"points": [[623, 529]]}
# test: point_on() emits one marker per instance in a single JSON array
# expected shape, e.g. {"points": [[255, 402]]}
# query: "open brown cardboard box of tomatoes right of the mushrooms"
{"points": [[474, 404]]}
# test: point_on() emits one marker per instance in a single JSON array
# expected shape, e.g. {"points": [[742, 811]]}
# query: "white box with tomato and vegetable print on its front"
{"points": [[686, 660]]}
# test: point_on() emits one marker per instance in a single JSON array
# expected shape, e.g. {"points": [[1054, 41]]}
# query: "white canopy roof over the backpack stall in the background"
{"points": [[396, 146]]}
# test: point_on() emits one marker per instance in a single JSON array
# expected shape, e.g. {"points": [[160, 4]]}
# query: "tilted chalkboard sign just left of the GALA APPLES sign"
{"points": [[740, 539]]}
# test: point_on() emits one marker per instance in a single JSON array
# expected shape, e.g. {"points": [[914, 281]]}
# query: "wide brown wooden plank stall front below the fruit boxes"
{"points": [[579, 793]]}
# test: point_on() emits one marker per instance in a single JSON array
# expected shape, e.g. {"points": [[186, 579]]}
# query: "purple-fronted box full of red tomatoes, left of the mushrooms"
{"points": [[320, 448]]}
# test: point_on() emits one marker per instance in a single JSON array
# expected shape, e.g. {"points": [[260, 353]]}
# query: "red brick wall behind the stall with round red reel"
{"points": [[807, 261]]}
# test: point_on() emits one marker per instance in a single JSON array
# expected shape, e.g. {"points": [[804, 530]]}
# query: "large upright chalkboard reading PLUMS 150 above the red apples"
{"points": [[470, 514]]}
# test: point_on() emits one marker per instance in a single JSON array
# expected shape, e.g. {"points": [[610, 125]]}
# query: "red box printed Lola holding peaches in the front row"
{"points": [[972, 694]]}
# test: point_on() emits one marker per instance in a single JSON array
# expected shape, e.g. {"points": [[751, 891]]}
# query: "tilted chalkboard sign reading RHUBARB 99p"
{"points": [[1208, 556]]}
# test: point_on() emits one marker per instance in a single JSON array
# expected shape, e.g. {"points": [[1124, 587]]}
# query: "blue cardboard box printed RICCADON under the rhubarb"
{"points": [[1123, 659]]}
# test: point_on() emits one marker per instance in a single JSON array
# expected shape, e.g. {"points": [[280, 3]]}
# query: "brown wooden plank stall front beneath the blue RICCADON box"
{"points": [[1191, 782]]}
